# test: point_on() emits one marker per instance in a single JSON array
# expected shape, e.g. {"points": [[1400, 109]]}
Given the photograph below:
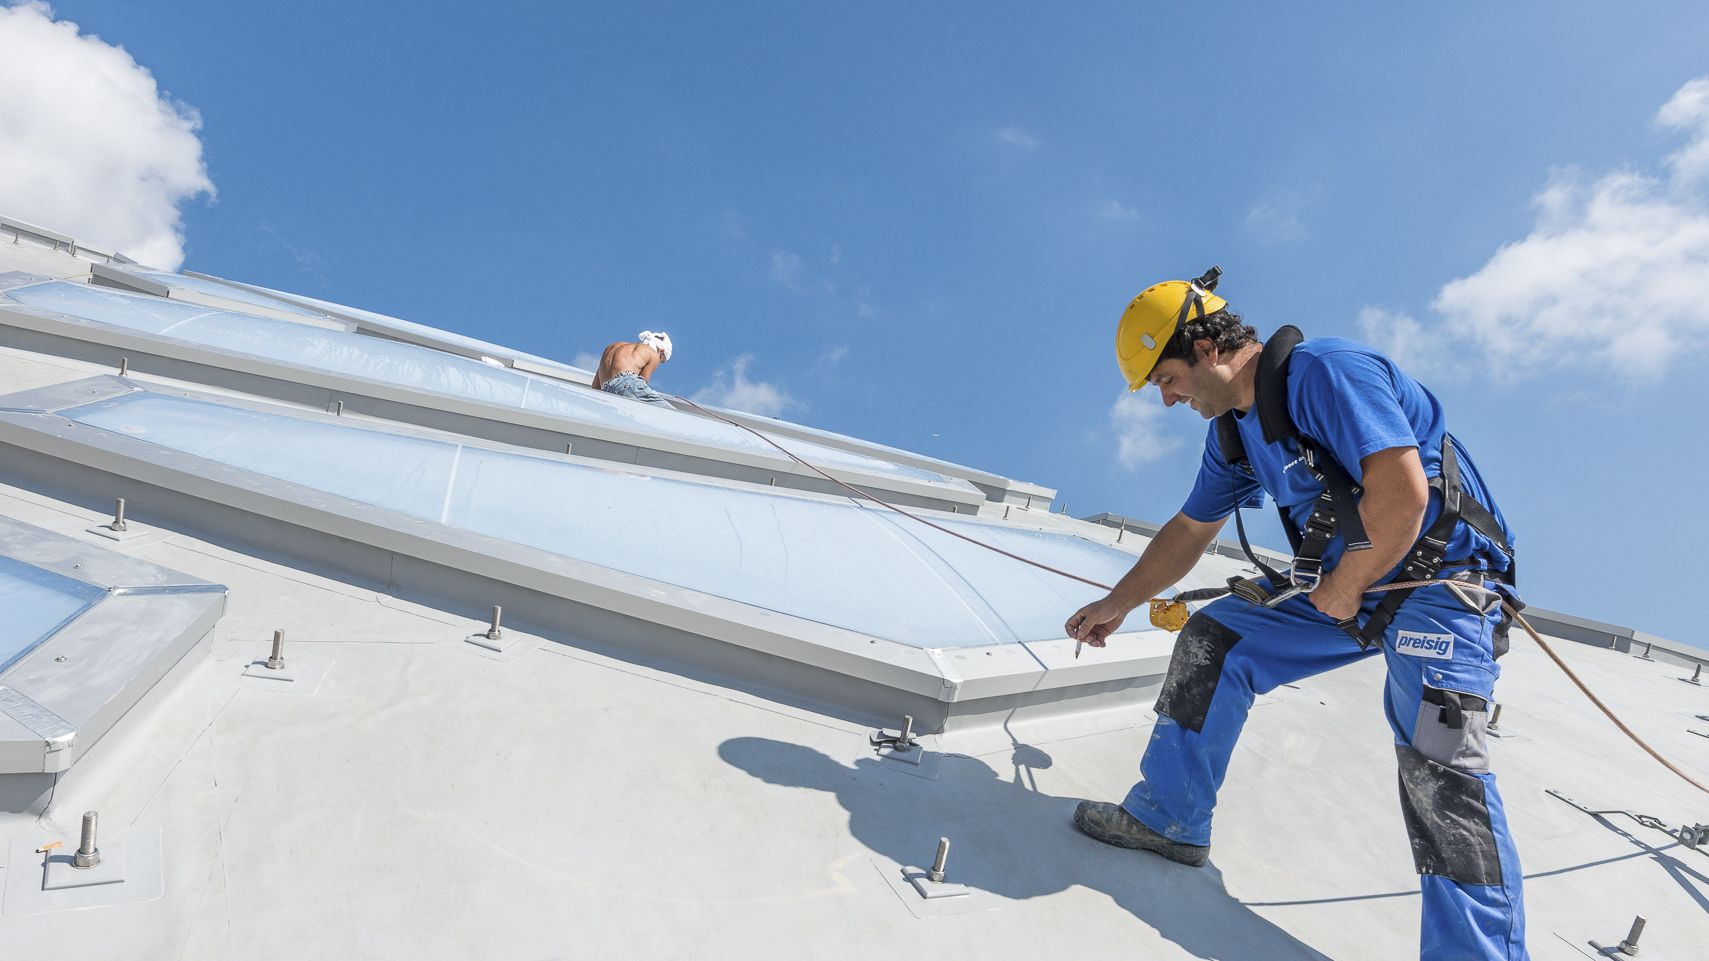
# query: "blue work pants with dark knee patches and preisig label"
{"points": [[1442, 676]]}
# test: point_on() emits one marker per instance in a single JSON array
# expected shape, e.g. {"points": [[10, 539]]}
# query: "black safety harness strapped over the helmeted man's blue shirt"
{"points": [[1337, 509]]}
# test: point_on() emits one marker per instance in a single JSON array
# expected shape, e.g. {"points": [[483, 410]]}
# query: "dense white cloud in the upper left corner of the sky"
{"points": [[88, 143]]}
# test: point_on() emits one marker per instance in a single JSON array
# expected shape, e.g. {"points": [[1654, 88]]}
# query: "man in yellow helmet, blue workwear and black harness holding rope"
{"points": [[1358, 459]]}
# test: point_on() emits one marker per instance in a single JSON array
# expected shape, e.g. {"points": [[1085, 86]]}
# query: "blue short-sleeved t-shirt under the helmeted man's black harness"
{"points": [[1353, 403]]}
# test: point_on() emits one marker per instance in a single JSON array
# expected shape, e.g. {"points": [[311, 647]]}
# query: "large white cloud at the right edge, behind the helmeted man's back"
{"points": [[1614, 276]]}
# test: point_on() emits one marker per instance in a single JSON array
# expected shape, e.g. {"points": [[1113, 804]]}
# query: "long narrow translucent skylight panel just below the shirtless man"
{"points": [[421, 368]]}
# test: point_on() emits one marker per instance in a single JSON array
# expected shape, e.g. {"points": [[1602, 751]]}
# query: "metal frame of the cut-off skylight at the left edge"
{"points": [[74, 687]]}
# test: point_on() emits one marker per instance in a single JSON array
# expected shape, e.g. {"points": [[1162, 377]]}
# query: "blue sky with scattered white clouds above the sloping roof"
{"points": [[920, 223]]}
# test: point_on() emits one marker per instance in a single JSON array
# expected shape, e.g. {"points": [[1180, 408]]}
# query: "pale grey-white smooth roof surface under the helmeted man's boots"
{"points": [[418, 796]]}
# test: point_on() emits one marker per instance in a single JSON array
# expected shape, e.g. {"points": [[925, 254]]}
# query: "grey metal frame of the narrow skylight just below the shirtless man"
{"points": [[539, 430]]}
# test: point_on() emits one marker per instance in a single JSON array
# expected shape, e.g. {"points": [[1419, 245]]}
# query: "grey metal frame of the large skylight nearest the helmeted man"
{"points": [[621, 613]]}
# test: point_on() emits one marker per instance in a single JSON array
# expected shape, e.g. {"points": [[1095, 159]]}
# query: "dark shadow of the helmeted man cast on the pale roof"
{"points": [[1016, 842]]}
